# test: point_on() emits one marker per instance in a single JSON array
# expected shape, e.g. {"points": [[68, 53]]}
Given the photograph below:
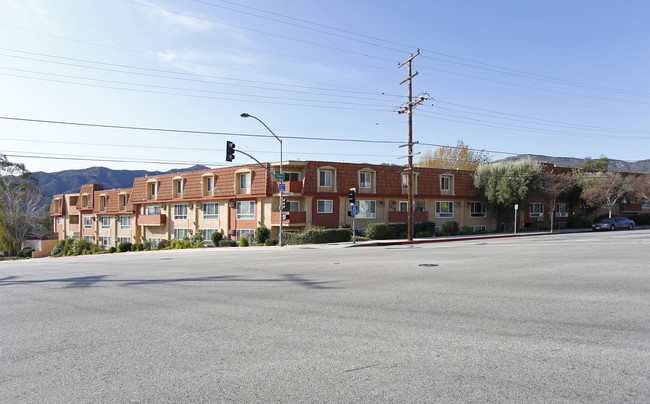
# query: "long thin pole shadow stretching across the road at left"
{"points": [[99, 280]]}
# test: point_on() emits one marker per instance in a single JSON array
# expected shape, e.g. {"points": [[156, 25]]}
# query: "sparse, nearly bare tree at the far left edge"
{"points": [[21, 204]]}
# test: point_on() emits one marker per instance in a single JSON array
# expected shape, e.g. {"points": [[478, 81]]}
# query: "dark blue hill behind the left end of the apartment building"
{"points": [[70, 181]]}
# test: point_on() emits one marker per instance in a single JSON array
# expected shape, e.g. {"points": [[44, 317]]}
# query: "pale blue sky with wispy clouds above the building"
{"points": [[161, 84]]}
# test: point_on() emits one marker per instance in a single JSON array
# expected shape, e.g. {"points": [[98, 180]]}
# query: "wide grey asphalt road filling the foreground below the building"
{"points": [[557, 318]]}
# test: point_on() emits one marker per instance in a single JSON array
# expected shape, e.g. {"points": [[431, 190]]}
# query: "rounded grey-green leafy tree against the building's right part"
{"points": [[505, 184]]}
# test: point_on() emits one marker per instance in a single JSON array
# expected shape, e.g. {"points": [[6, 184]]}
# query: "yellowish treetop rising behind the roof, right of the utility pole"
{"points": [[454, 157]]}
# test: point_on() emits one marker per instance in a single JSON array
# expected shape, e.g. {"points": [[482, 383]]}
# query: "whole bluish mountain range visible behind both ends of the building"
{"points": [[70, 181]]}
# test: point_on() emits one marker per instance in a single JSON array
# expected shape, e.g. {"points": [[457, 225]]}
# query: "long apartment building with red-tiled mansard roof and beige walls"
{"points": [[236, 200]]}
